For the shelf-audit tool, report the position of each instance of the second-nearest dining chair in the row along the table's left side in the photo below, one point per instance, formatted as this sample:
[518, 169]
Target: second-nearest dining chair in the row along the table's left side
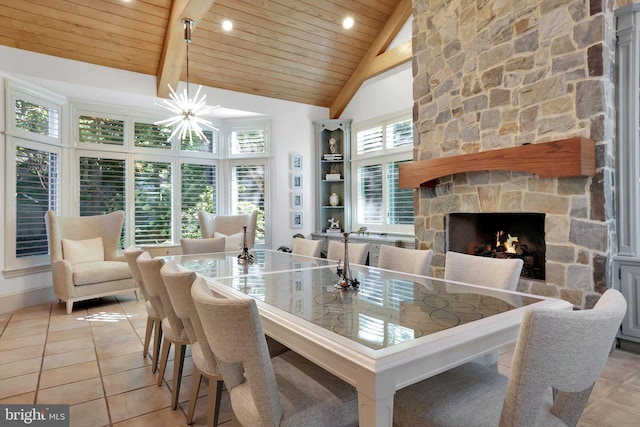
[178, 285]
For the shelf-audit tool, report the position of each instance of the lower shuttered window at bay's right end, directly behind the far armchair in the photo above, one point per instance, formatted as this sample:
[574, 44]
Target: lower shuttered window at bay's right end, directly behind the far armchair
[248, 193]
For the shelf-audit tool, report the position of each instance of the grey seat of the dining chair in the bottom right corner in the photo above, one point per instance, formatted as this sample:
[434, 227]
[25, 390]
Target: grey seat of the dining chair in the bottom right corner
[469, 395]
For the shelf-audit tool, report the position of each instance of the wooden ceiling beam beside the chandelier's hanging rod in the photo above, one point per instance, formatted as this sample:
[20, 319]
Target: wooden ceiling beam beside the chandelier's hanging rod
[174, 48]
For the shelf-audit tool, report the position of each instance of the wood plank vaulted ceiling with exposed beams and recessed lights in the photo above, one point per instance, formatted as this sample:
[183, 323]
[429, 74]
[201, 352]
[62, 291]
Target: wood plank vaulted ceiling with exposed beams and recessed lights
[294, 50]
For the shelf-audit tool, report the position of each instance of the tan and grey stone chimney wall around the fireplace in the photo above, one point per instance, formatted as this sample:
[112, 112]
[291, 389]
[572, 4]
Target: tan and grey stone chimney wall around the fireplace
[492, 74]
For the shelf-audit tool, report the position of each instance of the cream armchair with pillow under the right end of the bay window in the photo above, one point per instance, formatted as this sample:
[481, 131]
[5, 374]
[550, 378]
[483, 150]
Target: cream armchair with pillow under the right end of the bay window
[231, 227]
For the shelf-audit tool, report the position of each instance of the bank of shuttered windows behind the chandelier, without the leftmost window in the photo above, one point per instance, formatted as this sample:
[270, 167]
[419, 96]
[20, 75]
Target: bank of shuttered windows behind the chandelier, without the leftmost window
[166, 182]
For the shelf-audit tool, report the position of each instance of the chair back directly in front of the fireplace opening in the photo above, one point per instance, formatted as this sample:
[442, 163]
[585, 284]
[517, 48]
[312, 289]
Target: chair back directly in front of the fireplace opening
[502, 273]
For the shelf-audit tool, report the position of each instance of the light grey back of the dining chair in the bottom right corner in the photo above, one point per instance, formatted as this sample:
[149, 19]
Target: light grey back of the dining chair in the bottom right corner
[564, 351]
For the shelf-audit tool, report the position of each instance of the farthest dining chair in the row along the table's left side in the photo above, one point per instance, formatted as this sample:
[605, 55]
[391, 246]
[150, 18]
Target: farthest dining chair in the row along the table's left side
[155, 312]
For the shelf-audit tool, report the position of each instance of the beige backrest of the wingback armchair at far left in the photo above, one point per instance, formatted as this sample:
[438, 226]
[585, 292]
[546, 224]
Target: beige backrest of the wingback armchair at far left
[108, 227]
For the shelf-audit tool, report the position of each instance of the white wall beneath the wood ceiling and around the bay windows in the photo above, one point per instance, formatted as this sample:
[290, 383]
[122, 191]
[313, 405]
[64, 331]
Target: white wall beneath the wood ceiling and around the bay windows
[291, 132]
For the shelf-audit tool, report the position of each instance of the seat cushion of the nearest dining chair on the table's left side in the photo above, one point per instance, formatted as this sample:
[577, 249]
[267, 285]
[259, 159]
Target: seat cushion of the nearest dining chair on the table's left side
[309, 395]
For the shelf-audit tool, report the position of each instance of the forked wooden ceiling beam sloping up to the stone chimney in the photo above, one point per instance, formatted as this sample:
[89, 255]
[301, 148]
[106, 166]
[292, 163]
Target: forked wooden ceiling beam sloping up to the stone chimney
[375, 59]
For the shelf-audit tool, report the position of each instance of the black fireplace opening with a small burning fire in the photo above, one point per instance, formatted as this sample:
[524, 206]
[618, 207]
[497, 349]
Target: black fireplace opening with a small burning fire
[500, 235]
